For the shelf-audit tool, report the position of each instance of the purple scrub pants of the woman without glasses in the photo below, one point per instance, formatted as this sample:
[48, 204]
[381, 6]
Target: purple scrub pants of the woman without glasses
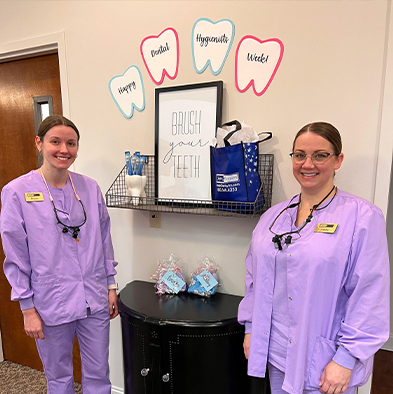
[56, 354]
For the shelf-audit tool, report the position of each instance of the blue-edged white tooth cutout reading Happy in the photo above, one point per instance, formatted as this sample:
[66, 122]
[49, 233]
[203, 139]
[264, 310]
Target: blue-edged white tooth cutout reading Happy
[128, 92]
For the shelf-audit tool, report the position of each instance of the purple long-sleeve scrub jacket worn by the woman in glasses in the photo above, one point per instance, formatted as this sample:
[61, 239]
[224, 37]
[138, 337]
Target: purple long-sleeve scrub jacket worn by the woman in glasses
[338, 291]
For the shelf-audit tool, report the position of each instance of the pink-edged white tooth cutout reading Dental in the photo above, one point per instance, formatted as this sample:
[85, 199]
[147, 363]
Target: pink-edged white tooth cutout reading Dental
[161, 55]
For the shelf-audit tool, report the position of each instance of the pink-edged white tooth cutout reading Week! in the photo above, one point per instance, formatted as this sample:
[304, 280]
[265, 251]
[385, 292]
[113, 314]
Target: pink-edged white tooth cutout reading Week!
[256, 63]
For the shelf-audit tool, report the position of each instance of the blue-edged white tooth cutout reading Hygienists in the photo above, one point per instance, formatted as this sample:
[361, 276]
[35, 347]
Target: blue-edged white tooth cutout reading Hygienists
[211, 43]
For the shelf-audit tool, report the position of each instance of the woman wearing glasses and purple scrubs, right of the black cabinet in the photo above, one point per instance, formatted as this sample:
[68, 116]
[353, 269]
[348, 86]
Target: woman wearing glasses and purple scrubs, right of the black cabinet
[316, 306]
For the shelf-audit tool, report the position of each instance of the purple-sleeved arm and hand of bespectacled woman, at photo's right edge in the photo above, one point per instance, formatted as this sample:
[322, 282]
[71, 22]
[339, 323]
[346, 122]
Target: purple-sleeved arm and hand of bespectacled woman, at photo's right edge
[365, 326]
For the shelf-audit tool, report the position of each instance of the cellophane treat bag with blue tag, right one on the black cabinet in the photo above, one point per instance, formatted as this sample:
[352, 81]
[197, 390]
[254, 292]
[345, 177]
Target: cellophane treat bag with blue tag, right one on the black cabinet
[204, 280]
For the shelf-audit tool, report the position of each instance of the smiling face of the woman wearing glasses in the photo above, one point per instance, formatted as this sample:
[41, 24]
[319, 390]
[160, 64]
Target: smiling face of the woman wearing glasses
[315, 178]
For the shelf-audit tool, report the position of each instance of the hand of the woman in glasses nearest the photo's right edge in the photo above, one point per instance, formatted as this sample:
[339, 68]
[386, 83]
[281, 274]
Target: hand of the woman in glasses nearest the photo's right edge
[335, 379]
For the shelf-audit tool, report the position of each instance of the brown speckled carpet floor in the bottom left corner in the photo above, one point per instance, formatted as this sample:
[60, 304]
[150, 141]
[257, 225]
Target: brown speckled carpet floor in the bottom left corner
[19, 379]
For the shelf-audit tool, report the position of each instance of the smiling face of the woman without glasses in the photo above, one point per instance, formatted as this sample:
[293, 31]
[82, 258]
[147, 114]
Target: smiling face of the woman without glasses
[59, 147]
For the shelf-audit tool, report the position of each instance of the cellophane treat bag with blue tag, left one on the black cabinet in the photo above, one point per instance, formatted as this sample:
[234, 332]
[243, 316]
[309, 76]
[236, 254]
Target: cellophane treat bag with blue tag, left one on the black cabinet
[169, 276]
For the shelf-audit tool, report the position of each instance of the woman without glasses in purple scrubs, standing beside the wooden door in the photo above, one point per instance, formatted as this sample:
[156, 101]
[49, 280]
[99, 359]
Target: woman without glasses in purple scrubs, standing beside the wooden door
[59, 260]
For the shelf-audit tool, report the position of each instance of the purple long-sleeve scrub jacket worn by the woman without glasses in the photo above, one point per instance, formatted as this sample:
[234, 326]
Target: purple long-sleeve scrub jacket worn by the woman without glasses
[47, 268]
